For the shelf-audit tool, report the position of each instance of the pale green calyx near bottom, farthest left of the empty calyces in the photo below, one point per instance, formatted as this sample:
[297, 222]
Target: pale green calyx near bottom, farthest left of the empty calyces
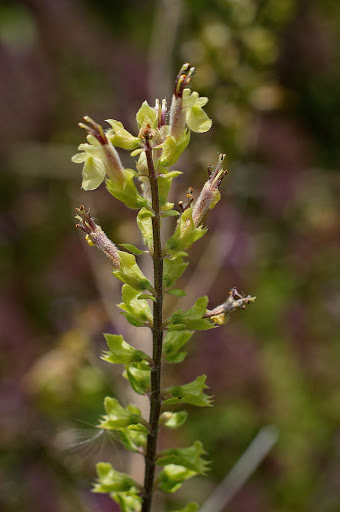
[110, 480]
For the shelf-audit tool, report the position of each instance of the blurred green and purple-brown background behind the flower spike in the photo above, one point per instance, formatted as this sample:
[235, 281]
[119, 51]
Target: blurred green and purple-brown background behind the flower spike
[271, 72]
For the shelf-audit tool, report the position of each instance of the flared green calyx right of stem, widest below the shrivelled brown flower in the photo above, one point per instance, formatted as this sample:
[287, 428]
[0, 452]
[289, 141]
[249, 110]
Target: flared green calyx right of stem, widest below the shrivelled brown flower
[191, 393]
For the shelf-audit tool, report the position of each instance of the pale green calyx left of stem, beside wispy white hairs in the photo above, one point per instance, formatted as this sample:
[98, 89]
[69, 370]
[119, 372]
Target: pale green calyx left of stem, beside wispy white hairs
[117, 416]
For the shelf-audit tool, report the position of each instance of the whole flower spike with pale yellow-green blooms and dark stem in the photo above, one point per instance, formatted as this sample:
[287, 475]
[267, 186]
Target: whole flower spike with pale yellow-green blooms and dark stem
[162, 137]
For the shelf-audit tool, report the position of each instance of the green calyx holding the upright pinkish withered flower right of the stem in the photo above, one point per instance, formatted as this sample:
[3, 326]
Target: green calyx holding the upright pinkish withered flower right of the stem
[185, 234]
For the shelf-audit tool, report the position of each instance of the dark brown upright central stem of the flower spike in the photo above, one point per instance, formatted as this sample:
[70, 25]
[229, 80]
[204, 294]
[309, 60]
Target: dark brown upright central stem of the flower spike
[157, 338]
